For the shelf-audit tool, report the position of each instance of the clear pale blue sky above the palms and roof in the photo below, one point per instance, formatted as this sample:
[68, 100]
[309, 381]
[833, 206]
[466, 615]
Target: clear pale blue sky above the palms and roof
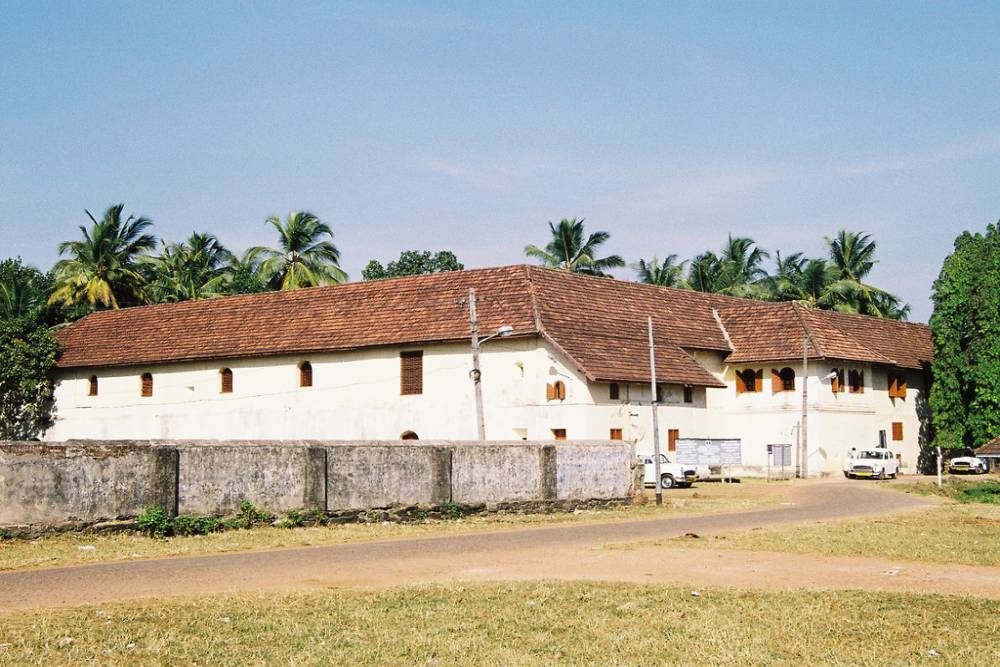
[468, 126]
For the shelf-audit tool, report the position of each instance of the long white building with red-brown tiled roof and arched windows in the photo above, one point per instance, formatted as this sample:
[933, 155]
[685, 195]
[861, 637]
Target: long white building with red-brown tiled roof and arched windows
[391, 359]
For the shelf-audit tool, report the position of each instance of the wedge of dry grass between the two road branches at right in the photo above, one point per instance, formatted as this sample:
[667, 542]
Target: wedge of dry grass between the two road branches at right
[955, 534]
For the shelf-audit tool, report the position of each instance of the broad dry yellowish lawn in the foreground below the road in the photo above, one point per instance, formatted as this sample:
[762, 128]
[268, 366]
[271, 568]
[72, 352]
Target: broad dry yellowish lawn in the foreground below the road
[512, 624]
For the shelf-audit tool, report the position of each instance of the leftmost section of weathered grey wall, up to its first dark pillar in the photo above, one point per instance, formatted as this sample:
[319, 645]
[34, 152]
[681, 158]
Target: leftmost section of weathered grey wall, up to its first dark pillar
[87, 482]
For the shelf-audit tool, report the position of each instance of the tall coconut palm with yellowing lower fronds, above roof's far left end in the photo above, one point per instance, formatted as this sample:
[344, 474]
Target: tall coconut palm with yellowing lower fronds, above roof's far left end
[103, 269]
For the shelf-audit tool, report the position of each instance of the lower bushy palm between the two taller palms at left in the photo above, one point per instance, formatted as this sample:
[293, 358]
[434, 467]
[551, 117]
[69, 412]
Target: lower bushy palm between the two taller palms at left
[193, 269]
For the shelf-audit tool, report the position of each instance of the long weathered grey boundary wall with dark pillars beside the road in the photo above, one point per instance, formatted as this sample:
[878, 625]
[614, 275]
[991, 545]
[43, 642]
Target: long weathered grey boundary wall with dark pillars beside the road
[94, 481]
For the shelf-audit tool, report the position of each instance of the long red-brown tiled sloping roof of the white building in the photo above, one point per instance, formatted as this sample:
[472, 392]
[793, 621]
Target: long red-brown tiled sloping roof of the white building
[598, 323]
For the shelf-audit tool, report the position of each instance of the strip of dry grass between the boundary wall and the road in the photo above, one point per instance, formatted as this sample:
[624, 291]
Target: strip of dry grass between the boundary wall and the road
[76, 549]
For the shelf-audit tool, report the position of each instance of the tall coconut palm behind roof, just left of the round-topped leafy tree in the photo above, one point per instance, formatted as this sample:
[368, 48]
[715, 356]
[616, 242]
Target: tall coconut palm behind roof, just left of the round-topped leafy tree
[305, 256]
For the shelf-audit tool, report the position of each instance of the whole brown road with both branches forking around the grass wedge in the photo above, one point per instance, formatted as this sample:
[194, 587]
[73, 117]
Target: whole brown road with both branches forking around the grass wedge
[564, 552]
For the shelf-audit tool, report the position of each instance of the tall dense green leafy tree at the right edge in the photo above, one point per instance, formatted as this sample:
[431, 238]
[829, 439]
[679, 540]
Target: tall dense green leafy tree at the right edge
[965, 396]
